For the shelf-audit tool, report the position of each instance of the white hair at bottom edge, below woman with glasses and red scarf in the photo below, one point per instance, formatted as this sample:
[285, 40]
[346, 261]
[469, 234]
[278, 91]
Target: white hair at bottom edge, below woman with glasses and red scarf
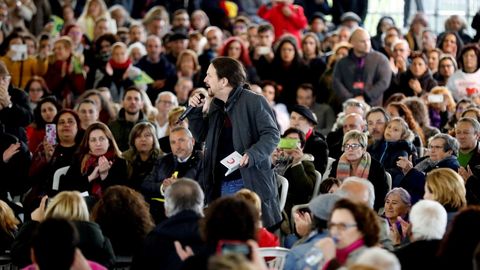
[378, 258]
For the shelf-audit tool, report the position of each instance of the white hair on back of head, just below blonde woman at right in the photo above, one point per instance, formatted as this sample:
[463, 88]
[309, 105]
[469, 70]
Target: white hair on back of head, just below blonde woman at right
[428, 219]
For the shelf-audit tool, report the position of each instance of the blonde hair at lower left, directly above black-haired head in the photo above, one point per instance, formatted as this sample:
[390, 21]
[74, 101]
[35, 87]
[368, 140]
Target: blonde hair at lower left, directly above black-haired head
[69, 205]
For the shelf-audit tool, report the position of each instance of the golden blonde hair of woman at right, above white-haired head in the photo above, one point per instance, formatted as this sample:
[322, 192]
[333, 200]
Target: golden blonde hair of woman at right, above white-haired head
[447, 187]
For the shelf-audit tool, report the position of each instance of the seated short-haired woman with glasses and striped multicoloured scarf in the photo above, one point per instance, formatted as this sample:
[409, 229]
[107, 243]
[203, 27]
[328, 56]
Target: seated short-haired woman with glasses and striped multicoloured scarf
[356, 161]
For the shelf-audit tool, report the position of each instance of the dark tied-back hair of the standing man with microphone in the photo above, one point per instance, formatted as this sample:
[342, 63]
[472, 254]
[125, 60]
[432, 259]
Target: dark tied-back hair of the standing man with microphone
[230, 69]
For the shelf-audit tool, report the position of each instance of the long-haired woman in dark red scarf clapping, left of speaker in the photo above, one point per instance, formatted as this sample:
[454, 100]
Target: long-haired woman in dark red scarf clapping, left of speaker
[98, 165]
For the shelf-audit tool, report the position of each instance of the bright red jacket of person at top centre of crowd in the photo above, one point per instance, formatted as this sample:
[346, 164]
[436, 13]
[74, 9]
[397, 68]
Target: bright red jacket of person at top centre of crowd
[294, 24]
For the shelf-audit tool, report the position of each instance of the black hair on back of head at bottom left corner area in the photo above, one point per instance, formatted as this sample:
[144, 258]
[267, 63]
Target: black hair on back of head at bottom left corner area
[54, 244]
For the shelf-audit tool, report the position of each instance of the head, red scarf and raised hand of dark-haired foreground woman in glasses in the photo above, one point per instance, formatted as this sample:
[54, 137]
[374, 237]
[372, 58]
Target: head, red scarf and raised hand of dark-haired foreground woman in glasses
[353, 228]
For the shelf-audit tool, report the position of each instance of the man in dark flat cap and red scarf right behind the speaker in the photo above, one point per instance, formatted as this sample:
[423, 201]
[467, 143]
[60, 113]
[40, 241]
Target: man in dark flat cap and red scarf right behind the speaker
[303, 119]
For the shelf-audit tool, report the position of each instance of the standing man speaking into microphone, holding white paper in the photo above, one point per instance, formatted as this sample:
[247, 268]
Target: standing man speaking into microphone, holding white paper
[241, 121]
